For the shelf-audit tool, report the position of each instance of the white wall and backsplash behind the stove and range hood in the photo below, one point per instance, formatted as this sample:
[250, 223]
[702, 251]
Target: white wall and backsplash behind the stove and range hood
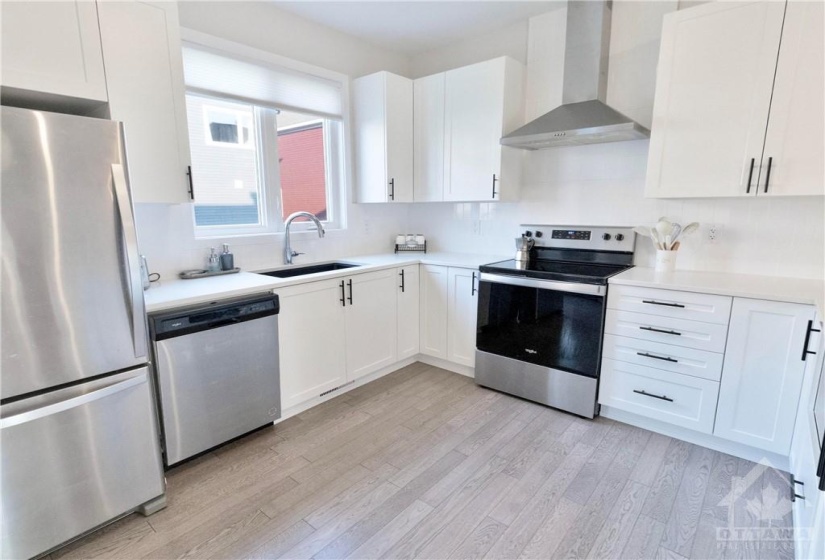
[603, 184]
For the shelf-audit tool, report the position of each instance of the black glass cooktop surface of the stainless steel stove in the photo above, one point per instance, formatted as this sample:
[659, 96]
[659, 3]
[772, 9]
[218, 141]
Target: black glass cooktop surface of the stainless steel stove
[562, 271]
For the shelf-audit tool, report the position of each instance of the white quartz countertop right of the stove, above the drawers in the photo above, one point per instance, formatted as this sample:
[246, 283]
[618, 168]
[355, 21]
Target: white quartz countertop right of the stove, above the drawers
[791, 290]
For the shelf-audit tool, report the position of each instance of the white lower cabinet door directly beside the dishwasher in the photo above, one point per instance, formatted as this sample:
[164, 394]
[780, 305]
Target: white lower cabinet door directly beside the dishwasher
[311, 341]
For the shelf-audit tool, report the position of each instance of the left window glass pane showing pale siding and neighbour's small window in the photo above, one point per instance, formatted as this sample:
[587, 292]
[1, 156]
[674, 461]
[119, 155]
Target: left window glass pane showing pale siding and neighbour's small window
[224, 162]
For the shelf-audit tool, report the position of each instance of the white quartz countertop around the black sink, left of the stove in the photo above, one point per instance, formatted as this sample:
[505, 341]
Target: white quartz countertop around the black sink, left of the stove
[172, 293]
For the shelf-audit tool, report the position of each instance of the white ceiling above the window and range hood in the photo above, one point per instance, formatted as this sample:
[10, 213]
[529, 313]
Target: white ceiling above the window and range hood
[415, 27]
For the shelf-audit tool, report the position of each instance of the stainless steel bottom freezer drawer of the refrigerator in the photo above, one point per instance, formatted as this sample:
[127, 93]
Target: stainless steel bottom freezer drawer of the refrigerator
[76, 458]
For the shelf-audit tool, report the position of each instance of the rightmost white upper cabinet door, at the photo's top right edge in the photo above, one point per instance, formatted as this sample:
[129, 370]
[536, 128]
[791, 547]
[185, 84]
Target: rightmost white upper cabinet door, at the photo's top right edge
[795, 138]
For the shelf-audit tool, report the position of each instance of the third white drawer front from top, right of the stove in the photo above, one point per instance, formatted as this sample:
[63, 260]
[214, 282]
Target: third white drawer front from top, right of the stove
[688, 361]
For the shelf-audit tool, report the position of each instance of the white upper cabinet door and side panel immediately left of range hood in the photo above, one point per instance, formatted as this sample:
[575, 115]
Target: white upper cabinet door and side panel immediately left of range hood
[483, 102]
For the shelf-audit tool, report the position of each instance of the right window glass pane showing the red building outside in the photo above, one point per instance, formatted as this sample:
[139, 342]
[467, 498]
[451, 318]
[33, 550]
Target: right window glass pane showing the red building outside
[303, 164]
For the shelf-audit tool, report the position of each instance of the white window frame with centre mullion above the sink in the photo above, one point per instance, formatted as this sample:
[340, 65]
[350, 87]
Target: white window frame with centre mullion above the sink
[337, 149]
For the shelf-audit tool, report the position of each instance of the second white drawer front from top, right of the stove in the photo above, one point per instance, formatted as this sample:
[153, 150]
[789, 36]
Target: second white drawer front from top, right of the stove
[679, 332]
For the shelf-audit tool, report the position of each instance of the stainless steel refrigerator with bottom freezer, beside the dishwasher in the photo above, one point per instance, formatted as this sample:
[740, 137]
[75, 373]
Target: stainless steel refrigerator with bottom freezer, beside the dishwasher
[78, 424]
